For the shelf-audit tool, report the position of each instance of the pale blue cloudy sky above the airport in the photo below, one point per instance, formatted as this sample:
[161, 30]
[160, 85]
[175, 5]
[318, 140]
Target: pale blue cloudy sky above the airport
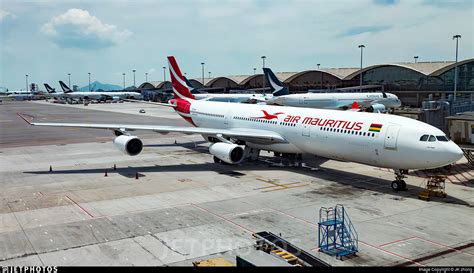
[50, 38]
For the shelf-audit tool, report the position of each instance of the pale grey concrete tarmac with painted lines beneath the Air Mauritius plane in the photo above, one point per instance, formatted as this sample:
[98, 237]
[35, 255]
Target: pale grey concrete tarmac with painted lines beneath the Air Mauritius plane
[184, 208]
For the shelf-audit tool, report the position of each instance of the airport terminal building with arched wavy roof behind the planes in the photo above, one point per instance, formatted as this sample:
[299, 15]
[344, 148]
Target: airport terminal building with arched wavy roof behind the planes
[412, 82]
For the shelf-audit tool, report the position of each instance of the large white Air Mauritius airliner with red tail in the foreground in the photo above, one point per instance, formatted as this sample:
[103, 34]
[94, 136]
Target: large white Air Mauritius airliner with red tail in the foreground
[239, 132]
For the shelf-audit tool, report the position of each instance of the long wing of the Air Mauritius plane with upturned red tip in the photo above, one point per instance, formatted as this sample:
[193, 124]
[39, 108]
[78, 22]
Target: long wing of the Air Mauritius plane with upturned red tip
[253, 135]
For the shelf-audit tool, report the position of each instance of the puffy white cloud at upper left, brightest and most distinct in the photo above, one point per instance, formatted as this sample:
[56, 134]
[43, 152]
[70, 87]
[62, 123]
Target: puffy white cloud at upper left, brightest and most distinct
[77, 28]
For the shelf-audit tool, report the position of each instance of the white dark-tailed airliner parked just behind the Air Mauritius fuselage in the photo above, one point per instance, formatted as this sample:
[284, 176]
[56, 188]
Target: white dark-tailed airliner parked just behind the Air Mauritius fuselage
[372, 102]
